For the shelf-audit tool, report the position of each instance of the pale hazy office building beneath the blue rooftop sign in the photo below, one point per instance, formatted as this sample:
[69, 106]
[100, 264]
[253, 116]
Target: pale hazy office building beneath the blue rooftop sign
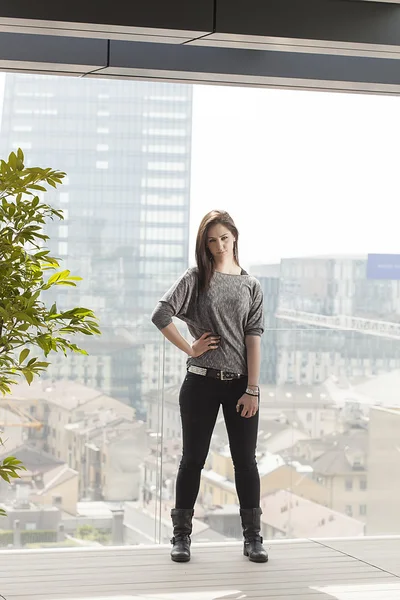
[335, 321]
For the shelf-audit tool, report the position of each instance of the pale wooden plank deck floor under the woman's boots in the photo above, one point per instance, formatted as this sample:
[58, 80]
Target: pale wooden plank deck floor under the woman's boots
[363, 569]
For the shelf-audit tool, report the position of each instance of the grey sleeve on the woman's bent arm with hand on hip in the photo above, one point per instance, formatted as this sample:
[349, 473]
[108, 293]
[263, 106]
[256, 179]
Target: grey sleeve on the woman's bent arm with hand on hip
[175, 302]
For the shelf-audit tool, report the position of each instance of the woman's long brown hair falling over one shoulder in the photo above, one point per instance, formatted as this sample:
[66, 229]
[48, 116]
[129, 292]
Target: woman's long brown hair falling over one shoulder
[204, 259]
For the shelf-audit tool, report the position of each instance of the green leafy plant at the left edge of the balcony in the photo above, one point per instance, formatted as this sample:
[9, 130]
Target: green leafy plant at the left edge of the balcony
[27, 325]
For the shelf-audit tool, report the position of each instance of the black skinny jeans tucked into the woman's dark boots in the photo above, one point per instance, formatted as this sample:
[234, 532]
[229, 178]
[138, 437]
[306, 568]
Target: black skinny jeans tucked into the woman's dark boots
[200, 398]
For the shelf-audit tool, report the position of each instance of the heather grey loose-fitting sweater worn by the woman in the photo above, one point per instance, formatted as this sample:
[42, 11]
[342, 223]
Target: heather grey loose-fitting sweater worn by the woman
[232, 307]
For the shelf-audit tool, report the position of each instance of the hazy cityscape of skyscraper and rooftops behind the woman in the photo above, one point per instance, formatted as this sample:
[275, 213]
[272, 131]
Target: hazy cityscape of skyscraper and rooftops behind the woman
[100, 435]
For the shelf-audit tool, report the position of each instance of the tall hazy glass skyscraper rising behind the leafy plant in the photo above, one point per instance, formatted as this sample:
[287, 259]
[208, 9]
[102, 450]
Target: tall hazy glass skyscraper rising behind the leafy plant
[126, 149]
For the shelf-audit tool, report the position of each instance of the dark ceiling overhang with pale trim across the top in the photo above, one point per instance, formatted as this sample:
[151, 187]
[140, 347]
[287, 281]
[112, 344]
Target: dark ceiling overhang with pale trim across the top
[350, 45]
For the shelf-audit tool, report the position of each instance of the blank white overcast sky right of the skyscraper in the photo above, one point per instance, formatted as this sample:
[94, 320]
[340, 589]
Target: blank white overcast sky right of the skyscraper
[302, 173]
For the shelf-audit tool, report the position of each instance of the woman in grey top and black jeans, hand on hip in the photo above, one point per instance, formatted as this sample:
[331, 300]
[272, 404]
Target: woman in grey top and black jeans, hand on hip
[223, 308]
